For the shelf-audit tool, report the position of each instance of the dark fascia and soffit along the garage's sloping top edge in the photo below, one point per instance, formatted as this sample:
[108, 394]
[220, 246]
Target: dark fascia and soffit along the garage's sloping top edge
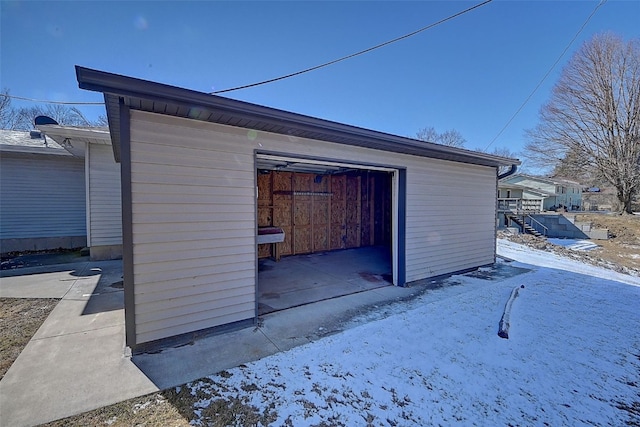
[116, 86]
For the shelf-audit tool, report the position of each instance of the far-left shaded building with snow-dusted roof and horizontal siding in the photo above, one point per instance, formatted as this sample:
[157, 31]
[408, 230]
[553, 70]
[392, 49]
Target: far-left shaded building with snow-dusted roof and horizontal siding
[42, 194]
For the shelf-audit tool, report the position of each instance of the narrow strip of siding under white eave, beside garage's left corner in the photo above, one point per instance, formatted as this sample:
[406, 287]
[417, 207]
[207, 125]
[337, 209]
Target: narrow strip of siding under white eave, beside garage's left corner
[105, 211]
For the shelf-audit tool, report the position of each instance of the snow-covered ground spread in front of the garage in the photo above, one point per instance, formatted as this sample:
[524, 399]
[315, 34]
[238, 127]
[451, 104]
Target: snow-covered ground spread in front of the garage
[573, 357]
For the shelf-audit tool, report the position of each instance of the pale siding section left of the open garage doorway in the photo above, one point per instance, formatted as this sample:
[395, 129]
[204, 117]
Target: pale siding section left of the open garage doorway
[193, 200]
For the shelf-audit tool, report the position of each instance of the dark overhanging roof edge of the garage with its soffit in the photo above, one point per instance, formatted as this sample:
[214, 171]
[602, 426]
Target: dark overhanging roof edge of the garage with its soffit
[159, 98]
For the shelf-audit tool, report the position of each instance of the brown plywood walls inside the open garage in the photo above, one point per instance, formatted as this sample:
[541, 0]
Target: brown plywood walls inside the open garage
[325, 212]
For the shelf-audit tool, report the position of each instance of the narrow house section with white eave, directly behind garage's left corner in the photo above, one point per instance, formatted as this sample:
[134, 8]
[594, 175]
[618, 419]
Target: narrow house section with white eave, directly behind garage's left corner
[102, 182]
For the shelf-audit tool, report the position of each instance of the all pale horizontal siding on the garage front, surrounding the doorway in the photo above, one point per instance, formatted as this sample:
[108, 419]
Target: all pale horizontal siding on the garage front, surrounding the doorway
[193, 196]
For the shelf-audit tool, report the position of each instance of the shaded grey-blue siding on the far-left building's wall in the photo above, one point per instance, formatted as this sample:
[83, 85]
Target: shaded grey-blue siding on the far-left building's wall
[41, 196]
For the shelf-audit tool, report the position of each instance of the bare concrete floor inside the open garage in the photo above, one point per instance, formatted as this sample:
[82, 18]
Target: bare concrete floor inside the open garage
[304, 279]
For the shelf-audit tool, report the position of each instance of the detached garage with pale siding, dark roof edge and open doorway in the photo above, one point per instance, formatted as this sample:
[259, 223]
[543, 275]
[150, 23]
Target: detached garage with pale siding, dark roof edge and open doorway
[211, 187]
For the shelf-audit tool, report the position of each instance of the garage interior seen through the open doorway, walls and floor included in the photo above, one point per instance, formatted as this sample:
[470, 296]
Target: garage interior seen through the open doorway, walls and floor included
[337, 224]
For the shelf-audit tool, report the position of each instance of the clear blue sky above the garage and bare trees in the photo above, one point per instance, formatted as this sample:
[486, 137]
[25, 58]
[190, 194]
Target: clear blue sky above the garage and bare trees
[470, 74]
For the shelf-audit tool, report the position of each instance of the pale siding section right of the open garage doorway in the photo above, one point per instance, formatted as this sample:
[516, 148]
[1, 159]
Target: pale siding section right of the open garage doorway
[451, 214]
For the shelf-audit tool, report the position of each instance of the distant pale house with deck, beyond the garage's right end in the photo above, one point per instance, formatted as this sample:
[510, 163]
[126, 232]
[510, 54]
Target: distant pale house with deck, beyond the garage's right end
[530, 194]
